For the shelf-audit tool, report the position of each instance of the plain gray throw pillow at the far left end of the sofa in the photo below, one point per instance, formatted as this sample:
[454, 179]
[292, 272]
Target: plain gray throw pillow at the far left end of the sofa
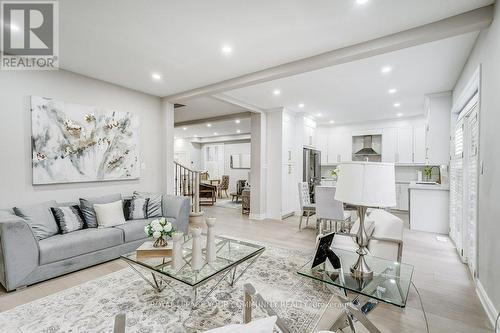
[39, 218]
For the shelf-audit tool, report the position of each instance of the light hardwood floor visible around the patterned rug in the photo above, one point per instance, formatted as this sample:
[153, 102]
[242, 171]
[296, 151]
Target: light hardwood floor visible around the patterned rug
[443, 281]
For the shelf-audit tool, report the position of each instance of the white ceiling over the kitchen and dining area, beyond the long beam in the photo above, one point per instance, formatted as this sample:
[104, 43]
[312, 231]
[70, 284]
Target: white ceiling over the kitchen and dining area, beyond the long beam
[358, 91]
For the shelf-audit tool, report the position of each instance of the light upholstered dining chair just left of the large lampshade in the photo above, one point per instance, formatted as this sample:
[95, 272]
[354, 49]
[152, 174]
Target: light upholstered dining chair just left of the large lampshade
[330, 210]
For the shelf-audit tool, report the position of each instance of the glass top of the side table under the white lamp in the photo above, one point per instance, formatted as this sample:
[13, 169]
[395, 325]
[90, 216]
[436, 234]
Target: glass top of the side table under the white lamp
[390, 282]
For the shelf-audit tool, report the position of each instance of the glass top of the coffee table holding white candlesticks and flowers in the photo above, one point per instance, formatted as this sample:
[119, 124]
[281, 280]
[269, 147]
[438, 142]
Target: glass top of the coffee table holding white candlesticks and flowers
[230, 253]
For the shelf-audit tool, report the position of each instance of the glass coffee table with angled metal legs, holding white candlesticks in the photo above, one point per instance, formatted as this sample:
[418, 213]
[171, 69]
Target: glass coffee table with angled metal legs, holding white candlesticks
[231, 254]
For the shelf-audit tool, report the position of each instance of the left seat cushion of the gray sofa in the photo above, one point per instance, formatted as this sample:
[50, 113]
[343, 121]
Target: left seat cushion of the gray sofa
[76, 243]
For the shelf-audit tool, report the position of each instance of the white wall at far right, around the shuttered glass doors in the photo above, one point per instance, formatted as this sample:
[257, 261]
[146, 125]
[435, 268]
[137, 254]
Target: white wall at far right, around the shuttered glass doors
[487, 53]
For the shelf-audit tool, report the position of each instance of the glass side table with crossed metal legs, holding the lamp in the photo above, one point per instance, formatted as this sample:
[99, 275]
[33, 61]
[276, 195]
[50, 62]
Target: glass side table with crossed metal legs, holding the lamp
[390, 284]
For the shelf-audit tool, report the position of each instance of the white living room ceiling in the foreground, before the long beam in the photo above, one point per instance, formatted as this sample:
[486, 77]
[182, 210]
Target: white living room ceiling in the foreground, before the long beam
[125, 41]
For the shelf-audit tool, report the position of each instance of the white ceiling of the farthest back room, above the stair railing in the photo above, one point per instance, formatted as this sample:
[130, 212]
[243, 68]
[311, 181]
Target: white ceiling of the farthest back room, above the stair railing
[222, 128]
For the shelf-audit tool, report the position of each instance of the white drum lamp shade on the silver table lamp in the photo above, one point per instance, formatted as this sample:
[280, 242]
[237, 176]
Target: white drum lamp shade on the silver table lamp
[367, 184]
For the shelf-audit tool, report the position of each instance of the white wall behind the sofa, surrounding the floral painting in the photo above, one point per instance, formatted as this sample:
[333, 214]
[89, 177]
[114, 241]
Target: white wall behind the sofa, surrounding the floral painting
[15, 133]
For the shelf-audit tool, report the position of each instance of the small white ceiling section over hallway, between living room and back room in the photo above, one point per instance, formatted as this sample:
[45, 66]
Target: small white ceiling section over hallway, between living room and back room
[204, 107]
